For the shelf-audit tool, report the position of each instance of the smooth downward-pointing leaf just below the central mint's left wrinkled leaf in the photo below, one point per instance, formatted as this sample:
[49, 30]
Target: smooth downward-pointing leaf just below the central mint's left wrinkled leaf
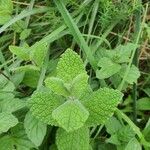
[35, 129]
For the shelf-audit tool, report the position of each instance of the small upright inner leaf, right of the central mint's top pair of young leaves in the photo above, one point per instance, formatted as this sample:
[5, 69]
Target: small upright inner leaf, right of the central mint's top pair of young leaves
[79, 85]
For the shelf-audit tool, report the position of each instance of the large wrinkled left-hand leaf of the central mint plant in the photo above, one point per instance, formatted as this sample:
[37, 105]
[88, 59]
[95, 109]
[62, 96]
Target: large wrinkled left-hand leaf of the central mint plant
[42, 104]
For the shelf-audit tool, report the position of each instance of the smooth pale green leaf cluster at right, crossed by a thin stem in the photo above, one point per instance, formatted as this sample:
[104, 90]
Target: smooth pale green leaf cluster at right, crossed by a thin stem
[115, 62]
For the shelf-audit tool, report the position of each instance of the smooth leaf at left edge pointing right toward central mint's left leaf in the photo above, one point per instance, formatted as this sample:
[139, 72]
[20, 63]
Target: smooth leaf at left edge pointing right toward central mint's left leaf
[12, 104]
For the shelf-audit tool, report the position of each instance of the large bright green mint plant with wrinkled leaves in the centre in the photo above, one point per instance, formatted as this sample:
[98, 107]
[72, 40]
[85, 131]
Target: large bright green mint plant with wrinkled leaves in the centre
[68, 102]
